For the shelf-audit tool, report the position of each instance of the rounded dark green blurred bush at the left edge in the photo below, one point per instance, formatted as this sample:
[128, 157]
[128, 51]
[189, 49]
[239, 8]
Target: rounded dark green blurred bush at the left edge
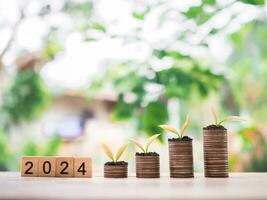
[26, 98]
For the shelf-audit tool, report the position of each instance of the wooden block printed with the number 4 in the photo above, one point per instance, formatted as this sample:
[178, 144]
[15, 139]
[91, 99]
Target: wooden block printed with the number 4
[83, 167]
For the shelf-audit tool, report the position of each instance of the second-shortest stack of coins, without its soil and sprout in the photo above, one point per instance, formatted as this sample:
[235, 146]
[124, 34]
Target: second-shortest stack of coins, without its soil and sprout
[147, 166]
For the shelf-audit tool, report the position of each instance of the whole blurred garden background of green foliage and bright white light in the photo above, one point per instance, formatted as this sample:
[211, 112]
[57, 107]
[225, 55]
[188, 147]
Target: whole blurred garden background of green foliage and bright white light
[76, 73]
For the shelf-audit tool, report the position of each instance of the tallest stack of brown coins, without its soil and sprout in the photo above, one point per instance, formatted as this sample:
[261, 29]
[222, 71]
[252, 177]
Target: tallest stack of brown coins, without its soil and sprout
[215, 153]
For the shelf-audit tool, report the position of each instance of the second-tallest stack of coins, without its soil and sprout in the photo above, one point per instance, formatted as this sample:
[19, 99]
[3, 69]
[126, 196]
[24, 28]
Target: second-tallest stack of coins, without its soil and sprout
[181, 158]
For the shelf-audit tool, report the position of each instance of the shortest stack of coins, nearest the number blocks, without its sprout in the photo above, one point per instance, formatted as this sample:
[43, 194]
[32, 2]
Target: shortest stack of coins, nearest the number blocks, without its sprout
[116, 171]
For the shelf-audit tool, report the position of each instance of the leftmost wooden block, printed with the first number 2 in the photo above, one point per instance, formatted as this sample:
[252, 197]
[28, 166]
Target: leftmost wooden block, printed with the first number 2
[29, 166]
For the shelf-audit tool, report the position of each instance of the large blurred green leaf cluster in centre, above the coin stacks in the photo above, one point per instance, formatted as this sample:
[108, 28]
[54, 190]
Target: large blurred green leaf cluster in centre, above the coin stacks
[136, 102]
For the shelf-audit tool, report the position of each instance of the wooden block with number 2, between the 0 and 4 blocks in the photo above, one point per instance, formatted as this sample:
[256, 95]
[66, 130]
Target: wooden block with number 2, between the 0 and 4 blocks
[64, 166]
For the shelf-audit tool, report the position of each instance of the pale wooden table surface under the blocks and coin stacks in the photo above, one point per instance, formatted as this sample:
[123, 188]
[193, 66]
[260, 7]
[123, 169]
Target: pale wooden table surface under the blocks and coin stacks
[251, 186]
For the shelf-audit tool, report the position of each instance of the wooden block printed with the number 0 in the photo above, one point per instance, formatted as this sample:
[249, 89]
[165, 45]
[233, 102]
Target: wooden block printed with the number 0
[47, 166]
